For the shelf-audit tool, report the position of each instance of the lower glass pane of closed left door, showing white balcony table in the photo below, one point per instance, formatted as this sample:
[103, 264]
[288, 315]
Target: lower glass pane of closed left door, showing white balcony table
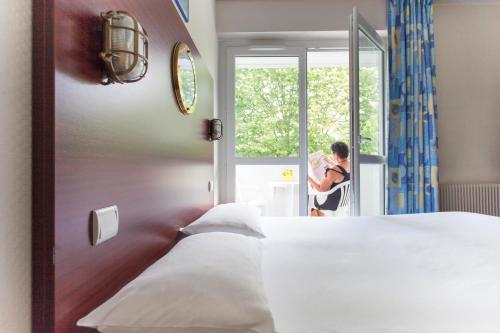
[274, 189]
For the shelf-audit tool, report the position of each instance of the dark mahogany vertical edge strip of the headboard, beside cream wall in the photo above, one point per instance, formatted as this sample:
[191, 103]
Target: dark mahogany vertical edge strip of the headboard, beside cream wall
[43, 167]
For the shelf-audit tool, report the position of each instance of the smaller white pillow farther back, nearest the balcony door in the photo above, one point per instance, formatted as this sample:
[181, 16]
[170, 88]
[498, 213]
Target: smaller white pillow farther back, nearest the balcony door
[232, 217]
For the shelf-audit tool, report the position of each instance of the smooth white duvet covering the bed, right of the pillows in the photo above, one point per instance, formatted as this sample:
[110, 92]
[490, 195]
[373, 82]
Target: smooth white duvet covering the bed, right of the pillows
[425, 273]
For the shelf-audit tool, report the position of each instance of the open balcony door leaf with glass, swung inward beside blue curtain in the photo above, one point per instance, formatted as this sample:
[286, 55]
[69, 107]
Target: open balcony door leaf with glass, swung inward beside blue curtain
[368, 115]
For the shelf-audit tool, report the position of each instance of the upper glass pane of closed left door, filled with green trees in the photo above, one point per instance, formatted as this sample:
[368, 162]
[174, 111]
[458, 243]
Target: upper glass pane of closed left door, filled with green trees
[267, 106]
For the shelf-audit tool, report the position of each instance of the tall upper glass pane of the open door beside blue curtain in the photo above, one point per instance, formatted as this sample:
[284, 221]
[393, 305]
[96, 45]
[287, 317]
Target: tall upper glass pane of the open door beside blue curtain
[370, 97]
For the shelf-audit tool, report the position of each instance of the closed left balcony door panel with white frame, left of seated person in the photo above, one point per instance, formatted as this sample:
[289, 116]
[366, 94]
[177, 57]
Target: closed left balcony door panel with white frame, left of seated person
[266, 136]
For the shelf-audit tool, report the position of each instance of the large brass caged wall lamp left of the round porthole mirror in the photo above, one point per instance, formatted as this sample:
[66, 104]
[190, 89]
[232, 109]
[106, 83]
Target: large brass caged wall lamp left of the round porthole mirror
[125, 53]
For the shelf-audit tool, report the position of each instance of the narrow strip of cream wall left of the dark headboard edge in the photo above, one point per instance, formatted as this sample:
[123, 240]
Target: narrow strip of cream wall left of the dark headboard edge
[15, 166]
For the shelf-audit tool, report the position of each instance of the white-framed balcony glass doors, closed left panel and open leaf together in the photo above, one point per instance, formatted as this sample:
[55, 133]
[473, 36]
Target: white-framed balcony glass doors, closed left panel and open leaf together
[284, 103]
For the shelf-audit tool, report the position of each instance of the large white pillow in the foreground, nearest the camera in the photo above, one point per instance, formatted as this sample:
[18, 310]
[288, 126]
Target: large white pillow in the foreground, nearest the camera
[208, 283]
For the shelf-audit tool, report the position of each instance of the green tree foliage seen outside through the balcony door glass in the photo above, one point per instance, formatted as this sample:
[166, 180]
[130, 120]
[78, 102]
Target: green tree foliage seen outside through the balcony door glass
[267, 110]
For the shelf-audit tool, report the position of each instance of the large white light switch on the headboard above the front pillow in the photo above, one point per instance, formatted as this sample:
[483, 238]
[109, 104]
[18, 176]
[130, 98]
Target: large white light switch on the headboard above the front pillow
[104, 224]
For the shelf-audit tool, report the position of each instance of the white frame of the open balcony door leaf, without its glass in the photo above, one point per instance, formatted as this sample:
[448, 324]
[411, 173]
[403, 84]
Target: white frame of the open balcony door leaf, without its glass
[357, 24]
